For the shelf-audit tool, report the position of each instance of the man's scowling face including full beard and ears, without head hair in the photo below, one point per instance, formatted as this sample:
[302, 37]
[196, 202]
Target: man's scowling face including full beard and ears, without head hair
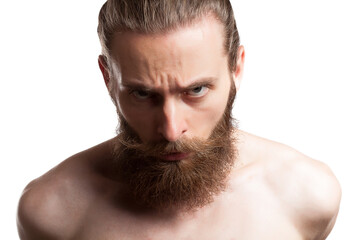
[172, 95]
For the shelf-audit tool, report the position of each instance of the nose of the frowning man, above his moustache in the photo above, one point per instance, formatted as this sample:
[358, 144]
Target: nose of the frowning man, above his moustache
[172, 124]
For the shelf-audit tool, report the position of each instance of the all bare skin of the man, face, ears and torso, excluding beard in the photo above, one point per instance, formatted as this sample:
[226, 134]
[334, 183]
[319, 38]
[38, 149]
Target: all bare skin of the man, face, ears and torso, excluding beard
[274, 192]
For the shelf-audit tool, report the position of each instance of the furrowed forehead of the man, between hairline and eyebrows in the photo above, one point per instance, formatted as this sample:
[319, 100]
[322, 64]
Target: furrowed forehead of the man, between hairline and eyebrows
[193, 51]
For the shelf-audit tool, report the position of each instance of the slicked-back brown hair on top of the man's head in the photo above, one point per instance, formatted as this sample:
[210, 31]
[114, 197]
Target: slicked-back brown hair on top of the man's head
[163, 16]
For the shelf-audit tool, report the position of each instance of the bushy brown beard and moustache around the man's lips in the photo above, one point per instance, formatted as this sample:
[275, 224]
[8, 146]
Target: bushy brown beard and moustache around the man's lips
[187, 184]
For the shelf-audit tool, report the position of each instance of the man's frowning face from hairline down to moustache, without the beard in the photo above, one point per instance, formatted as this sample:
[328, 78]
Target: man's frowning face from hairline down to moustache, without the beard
[173, 85]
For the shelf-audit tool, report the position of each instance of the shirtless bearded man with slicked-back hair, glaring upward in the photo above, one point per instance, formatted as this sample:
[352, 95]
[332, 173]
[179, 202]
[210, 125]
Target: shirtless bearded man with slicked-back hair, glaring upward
[178, 168]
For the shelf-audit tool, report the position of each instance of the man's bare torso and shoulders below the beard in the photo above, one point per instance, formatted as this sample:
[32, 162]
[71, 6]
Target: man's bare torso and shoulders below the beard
[274, 192]
